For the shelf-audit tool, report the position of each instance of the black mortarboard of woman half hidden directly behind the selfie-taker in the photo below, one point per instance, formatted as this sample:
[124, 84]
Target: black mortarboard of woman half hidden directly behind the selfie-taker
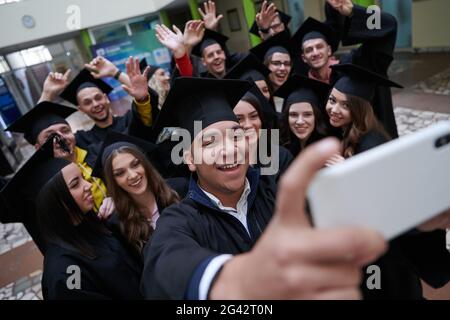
[249, 67]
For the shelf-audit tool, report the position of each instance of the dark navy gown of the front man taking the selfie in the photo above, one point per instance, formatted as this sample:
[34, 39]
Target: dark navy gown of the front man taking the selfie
[195, 230]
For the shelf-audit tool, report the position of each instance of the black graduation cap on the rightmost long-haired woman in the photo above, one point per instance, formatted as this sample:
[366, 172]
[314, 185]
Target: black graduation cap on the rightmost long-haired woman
[360, 82]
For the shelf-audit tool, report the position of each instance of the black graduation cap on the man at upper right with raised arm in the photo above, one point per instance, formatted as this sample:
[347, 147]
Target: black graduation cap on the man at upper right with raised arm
[314, 29]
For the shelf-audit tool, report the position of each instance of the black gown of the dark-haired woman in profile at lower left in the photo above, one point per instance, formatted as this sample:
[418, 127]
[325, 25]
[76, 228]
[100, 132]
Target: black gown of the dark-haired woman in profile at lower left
[114, 274]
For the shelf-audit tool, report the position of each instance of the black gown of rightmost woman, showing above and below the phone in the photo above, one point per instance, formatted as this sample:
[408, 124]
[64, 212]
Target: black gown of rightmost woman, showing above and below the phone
[411, 256]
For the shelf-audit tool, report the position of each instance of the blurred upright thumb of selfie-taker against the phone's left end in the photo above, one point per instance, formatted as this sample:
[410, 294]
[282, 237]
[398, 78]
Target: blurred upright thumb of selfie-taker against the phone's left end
[293, 185]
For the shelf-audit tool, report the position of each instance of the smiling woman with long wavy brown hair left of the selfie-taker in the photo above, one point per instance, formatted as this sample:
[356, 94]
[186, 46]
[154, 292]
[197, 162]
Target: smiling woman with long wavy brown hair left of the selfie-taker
[138, 190]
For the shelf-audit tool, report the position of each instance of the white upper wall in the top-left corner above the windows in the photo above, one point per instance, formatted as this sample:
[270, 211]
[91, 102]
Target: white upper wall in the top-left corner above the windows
[51, 17]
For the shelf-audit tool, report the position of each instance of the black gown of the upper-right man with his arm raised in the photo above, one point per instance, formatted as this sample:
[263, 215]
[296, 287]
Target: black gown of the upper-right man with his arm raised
[375, 53]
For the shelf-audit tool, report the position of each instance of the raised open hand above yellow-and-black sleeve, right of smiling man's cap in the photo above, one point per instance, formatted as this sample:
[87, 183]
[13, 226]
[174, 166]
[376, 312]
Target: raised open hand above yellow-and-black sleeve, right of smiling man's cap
[138, 87]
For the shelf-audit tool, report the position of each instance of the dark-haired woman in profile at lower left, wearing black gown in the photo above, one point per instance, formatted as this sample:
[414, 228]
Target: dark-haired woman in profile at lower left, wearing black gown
[84, 259]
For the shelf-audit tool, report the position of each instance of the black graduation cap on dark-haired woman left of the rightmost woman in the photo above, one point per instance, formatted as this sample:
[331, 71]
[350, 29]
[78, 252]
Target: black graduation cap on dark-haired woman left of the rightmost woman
[299, 88]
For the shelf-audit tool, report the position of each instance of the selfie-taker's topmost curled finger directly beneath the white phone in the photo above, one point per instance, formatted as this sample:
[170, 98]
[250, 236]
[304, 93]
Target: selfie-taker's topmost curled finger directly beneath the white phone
[358, 246]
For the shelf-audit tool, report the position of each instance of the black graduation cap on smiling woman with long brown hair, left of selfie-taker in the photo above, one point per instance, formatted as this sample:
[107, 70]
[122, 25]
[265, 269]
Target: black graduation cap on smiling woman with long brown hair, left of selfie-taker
[115, 140]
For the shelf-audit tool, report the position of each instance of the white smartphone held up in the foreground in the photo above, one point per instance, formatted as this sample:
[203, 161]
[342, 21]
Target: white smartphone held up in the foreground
[391, 188]
